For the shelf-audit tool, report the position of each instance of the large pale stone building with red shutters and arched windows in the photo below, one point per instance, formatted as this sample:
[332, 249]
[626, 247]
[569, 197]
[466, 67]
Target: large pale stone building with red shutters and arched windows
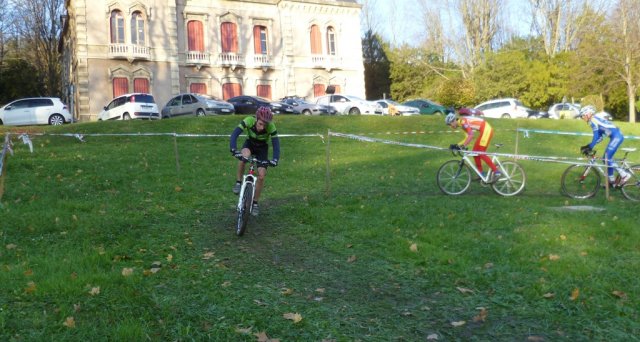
[269, 48]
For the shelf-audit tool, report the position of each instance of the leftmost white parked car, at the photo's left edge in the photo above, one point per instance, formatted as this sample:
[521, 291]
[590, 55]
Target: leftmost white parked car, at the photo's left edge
[35, 111]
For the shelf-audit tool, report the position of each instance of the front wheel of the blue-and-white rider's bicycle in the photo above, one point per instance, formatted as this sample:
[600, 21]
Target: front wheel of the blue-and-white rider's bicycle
[579, 181]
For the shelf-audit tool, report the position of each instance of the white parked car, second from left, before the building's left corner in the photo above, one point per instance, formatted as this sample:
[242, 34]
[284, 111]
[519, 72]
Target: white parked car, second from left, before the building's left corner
[130, 106]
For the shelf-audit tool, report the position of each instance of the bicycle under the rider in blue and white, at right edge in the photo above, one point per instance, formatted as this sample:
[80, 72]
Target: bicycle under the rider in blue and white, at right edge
[583, 181]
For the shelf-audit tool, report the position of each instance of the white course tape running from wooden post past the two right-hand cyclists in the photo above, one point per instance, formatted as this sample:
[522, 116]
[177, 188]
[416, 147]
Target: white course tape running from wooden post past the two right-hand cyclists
[552, 159]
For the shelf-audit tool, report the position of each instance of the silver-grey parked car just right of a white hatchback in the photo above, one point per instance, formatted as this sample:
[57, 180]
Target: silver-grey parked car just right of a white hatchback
[195, 104]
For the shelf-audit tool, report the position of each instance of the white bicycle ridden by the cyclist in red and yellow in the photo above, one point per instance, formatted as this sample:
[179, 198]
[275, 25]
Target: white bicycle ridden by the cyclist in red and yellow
[454, 176]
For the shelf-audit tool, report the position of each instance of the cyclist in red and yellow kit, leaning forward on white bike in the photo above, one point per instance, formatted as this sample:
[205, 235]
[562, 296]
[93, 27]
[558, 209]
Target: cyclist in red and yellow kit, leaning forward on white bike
[470, 125]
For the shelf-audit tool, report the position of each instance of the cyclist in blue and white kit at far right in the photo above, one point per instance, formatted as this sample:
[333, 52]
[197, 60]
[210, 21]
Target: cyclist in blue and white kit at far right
[602, 127]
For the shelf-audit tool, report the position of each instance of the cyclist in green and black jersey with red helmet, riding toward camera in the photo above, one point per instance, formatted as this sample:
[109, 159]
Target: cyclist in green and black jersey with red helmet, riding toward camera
[260, 130]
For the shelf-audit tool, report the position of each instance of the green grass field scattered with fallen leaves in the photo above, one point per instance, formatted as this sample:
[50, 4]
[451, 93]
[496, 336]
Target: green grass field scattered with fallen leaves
[130, 238]
